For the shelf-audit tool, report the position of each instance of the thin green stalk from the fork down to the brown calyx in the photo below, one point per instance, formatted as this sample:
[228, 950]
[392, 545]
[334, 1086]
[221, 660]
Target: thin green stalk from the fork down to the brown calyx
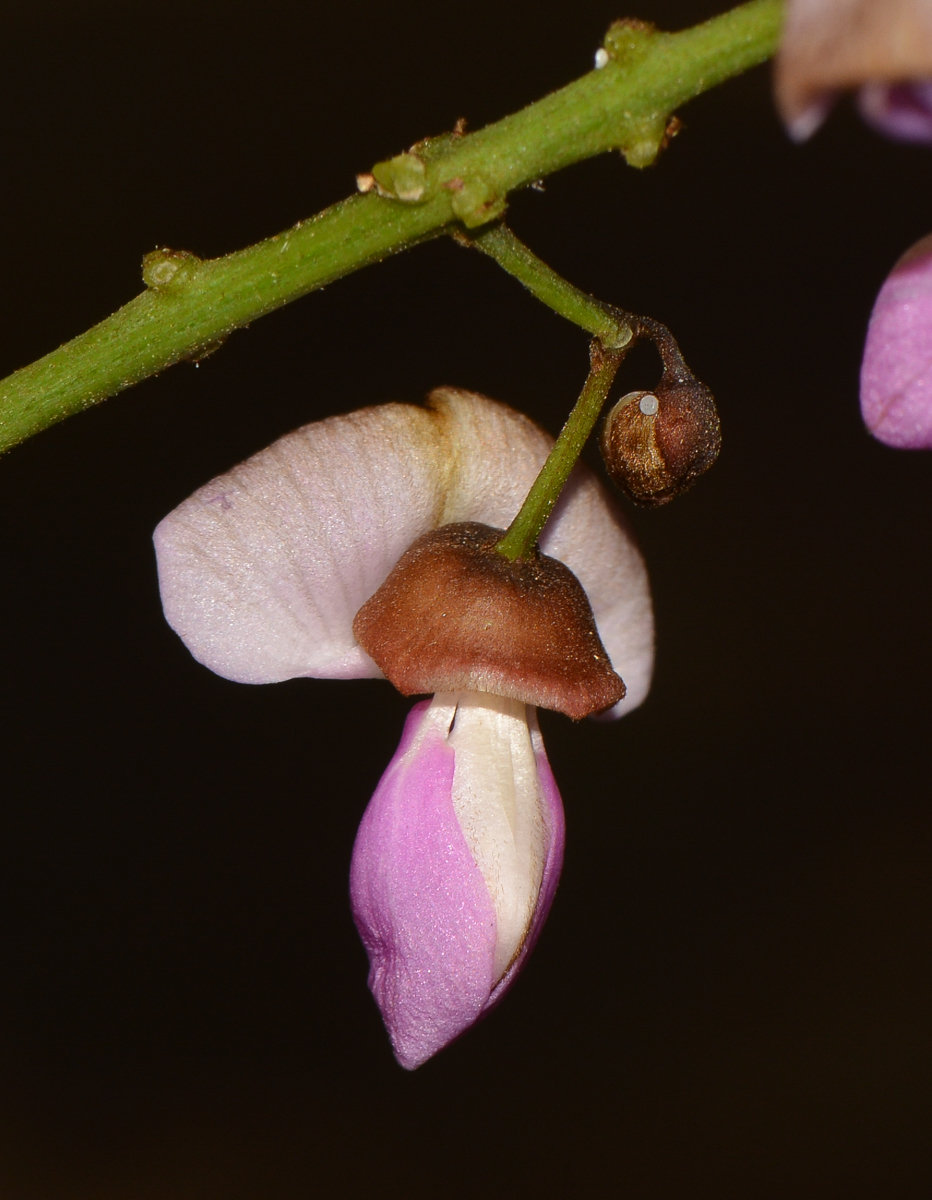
[522, 535]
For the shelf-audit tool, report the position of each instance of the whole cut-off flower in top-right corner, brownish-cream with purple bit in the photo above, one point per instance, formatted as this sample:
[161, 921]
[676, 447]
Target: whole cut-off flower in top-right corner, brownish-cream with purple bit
[882, 47]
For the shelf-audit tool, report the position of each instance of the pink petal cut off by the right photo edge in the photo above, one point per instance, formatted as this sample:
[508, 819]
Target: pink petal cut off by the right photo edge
[897, 373]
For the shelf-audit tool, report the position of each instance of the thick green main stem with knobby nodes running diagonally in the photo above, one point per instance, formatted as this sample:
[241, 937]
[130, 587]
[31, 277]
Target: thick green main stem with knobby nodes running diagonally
[191, 305]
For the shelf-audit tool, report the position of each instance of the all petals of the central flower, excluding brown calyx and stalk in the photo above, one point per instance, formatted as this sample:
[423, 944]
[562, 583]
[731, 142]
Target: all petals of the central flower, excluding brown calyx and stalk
[262, 574]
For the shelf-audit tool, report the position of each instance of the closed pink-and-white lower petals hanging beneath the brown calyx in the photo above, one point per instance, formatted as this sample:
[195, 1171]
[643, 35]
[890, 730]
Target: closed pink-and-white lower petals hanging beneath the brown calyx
[455, 867]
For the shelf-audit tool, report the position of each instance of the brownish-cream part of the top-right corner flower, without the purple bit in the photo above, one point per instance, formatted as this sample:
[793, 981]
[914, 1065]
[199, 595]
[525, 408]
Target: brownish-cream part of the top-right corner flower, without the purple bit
[833, 45]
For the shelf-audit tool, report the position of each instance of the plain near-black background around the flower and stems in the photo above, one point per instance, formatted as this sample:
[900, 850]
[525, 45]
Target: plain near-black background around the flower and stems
[732, 997]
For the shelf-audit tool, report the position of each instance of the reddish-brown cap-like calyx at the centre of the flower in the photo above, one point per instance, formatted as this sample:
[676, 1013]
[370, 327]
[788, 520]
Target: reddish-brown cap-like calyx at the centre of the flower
[454, 615]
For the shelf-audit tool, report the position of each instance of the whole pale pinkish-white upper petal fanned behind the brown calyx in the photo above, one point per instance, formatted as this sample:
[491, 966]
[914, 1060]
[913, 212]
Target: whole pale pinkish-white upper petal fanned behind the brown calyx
[263, 571]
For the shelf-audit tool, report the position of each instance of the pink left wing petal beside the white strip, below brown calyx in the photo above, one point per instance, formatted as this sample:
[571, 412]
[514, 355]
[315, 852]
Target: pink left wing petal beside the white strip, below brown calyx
[420, 902]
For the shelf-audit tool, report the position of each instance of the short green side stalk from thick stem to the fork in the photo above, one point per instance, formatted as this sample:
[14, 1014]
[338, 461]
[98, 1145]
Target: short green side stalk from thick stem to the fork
[550, 289]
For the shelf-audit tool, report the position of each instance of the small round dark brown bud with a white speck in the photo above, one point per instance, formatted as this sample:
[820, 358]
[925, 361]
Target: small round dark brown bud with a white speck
[656, 445]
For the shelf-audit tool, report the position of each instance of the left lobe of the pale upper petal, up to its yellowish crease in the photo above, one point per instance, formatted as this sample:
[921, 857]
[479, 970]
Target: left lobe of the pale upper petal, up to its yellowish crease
[263, 571]
